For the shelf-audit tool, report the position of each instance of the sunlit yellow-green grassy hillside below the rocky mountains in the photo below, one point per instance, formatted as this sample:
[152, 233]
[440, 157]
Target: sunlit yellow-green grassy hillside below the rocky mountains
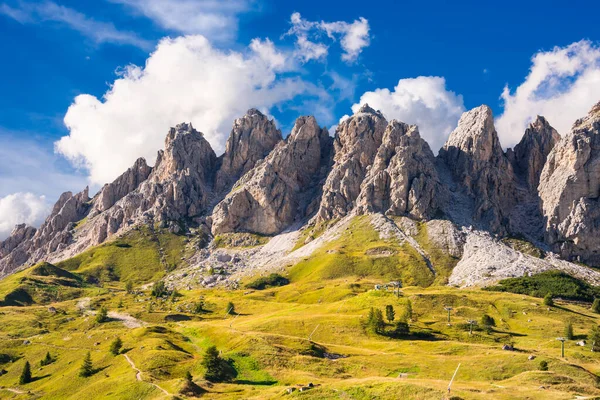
[312, 330]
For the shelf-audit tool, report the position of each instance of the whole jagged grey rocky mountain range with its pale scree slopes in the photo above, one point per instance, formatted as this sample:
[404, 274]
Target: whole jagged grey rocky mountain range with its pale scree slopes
[303, 191]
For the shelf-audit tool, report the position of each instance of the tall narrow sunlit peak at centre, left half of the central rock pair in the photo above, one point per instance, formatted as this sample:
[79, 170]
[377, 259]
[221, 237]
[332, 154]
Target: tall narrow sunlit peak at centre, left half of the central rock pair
[356, 143]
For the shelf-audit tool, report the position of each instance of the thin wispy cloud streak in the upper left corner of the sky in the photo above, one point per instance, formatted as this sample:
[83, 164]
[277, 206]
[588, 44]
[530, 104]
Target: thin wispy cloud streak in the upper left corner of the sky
[98, 31]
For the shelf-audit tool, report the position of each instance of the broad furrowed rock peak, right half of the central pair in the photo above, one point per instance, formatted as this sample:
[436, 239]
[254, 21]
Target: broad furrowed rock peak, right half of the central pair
[403, 179]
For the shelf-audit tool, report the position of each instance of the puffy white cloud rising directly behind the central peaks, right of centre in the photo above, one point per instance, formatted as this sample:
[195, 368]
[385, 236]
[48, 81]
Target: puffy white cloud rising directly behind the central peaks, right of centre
[423, 101]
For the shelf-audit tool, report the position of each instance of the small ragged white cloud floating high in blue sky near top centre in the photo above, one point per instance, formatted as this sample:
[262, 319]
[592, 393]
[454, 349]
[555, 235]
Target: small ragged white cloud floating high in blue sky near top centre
[353, 37]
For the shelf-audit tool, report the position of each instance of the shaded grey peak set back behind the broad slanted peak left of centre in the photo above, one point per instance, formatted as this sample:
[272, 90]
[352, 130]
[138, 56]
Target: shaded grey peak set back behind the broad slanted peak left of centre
[252, 138]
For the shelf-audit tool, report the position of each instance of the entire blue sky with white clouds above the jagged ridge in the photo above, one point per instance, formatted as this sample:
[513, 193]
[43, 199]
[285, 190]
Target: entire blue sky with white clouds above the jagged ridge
[421, 62]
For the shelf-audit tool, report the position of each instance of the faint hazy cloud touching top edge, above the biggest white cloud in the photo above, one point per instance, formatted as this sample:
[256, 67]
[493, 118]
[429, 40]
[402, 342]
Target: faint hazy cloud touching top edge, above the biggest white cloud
[215, 19]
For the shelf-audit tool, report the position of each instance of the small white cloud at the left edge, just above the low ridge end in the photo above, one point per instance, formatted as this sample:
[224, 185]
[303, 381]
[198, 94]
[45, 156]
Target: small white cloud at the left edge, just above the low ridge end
[20, 208]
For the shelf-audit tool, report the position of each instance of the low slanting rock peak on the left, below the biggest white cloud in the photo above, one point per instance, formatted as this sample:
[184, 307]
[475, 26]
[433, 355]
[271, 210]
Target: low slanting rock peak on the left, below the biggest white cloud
[120, 187]
